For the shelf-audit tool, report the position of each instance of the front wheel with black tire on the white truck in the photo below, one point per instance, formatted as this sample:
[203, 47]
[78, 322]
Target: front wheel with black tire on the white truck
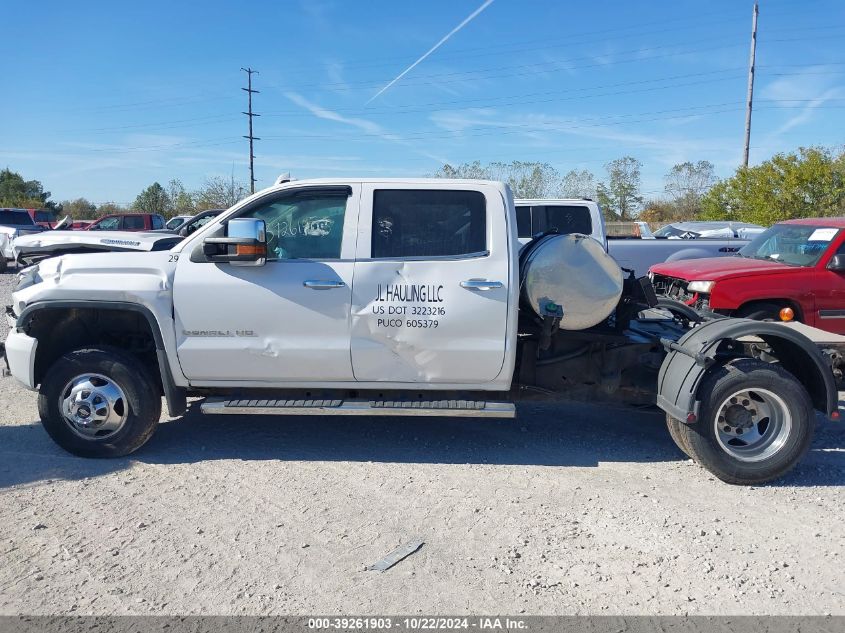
[111, 403]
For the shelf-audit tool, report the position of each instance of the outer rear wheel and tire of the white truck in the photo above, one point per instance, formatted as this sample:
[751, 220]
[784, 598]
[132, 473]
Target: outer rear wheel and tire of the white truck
[756, 423]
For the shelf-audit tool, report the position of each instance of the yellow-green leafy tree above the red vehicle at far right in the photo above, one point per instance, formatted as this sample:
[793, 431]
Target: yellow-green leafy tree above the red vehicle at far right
[806, 183]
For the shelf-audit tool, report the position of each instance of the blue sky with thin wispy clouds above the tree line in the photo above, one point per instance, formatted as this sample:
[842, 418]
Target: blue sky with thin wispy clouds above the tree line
[103, 98]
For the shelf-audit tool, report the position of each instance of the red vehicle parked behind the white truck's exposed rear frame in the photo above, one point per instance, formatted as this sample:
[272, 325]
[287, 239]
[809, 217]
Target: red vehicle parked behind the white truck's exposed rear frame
[794, 270]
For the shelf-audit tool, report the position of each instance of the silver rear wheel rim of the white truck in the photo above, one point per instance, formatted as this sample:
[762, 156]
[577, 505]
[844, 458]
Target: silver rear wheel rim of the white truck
[753, 424]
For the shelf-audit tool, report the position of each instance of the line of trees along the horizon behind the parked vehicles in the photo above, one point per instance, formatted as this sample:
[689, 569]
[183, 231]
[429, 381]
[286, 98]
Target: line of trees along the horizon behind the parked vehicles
[807, 182]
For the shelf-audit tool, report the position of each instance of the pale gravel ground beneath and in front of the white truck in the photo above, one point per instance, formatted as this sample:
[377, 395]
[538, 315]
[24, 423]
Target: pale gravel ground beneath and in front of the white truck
[567, 510]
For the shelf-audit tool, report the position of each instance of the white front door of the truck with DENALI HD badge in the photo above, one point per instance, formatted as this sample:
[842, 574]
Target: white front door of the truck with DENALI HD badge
[286, 321]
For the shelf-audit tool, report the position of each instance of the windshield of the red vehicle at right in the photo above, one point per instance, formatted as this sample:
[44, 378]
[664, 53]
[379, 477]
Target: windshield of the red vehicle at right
[793, 244]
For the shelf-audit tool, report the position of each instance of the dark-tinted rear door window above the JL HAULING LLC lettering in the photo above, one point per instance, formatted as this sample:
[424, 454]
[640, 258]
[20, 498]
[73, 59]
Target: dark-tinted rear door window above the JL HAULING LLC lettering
[428, 223]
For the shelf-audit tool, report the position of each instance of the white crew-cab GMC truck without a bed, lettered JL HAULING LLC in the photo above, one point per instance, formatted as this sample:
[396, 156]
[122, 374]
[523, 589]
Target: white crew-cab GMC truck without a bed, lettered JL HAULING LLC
[396, 297]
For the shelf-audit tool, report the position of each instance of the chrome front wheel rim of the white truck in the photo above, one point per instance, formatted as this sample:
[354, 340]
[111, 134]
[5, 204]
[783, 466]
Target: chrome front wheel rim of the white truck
[93, 406]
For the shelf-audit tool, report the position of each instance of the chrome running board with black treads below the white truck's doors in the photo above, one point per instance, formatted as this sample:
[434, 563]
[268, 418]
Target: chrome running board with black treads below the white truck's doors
[462, 408]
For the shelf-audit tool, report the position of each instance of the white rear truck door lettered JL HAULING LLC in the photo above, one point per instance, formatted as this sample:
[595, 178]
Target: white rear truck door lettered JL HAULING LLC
[430, 297]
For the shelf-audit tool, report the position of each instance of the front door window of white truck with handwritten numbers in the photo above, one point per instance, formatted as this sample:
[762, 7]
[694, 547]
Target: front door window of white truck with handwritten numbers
[304, 226]
